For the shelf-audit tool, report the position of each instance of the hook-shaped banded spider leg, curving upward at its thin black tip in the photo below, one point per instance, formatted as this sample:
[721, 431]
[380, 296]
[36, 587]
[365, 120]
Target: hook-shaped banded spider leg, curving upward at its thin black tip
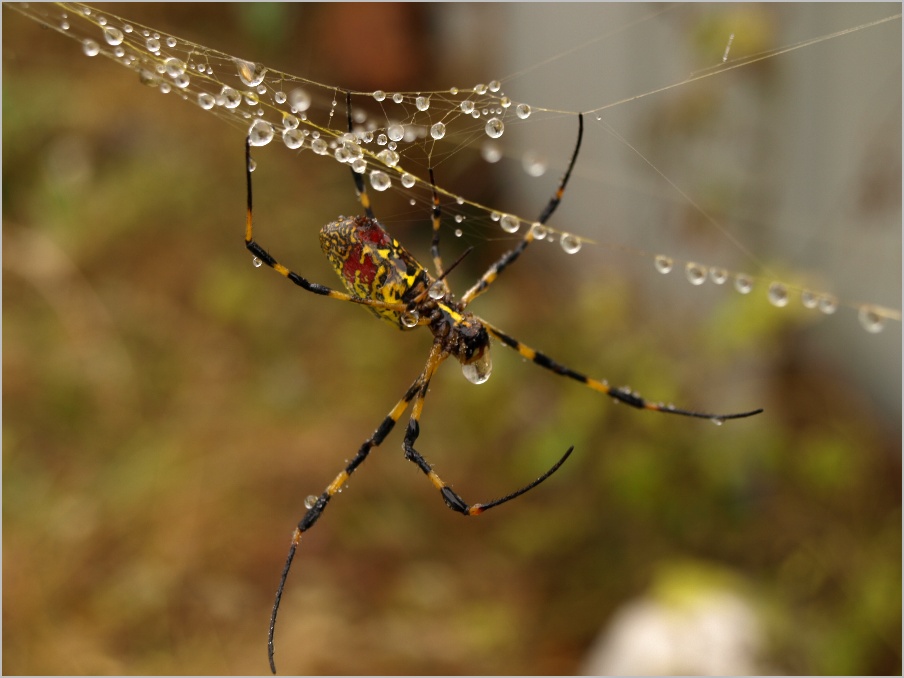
[452, 499]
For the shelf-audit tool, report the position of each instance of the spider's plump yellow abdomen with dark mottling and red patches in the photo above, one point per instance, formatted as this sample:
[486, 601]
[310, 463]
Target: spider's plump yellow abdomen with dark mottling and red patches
[373, 265]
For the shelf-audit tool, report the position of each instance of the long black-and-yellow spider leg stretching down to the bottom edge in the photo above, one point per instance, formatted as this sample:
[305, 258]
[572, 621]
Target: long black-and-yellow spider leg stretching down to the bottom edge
[314, 513]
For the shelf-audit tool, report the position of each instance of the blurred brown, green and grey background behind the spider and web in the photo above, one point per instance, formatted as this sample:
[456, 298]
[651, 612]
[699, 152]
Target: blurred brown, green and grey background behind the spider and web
[168, 407]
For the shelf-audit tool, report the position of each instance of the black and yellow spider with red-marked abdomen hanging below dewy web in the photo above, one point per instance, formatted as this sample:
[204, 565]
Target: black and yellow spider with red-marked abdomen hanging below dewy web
[382, 276]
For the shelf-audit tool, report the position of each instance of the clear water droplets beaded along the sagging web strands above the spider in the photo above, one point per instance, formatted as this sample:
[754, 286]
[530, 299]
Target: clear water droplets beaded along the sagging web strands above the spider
[265, 103]
